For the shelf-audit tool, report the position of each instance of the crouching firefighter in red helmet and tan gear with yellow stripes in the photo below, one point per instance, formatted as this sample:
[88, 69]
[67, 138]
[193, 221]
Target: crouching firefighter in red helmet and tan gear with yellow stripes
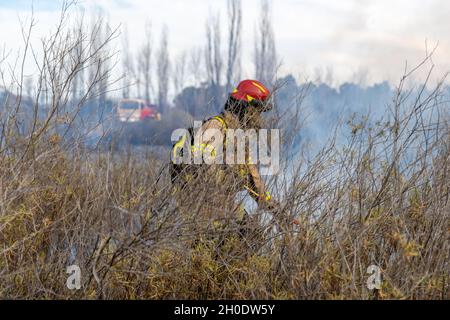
[215, 186]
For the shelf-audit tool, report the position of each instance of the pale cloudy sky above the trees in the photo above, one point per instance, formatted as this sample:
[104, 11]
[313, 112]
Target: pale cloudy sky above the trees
[355, 39]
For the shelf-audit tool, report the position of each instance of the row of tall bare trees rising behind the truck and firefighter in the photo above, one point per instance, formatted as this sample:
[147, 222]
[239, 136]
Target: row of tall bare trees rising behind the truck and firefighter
[151, 73]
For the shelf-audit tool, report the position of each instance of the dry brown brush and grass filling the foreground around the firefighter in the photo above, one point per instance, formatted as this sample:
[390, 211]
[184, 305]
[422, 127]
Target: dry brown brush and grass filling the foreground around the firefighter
[380, 199]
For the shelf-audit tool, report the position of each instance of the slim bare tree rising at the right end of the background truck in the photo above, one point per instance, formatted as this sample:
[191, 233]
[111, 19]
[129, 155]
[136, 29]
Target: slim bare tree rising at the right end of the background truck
[163, 70]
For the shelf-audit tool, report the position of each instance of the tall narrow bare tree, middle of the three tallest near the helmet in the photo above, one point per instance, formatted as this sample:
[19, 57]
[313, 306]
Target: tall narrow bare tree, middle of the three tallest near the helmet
[234, 42]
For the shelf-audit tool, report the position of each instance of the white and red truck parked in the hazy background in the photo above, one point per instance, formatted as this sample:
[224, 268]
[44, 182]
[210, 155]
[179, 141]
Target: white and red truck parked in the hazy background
[134, 110]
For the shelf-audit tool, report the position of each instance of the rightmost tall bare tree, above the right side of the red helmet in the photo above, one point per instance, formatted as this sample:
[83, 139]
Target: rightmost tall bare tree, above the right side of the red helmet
[265, 55]
